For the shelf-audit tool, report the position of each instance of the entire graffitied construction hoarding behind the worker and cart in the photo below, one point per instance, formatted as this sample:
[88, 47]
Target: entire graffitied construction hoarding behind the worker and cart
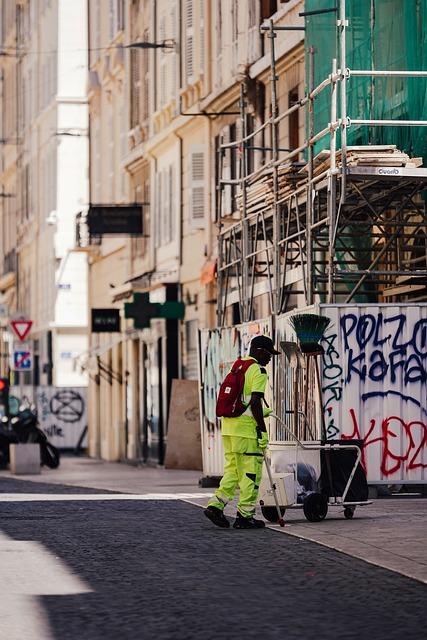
[373, 378]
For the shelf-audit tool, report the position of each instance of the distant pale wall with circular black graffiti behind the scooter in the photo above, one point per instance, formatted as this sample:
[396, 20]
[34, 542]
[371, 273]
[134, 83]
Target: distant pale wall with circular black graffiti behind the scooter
[62, 412]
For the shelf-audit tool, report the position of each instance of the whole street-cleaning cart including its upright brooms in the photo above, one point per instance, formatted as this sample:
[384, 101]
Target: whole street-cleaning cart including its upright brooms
[316, 474]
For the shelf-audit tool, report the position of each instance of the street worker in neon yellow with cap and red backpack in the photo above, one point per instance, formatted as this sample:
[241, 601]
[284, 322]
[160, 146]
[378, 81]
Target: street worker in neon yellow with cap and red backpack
[244, 435]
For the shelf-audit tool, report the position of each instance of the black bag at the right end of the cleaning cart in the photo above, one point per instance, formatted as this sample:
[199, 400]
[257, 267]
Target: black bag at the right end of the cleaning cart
[341, 462]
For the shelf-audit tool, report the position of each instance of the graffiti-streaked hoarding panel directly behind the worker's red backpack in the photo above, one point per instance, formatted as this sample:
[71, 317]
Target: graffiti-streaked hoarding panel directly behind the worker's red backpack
[219, 348]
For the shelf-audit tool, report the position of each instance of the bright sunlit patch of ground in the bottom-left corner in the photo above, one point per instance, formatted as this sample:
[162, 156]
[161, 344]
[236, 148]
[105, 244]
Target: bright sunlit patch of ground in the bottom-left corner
[29, 570]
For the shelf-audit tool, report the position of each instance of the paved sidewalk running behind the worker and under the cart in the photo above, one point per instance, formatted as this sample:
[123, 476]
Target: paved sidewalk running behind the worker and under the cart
[390, 533]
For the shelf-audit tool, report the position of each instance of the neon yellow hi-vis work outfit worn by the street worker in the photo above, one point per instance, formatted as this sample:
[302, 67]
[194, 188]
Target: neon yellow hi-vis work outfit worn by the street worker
[243, 457]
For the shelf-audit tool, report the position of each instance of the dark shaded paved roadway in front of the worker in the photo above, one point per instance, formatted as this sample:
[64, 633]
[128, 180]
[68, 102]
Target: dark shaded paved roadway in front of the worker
[160, 570]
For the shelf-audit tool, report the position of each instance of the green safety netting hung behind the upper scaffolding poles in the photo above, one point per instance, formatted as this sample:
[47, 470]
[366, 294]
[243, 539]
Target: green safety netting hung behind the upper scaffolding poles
[382, 35]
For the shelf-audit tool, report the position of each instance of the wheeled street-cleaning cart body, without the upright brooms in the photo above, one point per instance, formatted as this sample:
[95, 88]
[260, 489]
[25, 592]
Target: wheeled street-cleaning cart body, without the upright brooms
[313, 477]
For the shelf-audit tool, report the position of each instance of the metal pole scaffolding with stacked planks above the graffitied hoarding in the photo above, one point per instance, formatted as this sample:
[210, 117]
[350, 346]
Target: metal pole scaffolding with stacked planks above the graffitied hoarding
[326, 229]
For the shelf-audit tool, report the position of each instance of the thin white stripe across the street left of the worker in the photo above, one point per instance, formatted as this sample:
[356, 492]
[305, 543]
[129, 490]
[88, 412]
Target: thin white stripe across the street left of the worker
[68, 497]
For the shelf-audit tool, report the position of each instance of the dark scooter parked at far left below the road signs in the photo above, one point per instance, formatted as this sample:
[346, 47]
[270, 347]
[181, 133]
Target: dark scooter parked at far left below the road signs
[23, 428]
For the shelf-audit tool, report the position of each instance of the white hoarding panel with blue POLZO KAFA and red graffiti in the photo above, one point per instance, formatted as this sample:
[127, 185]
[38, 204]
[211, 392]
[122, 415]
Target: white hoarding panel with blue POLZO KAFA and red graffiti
[374, 384]
